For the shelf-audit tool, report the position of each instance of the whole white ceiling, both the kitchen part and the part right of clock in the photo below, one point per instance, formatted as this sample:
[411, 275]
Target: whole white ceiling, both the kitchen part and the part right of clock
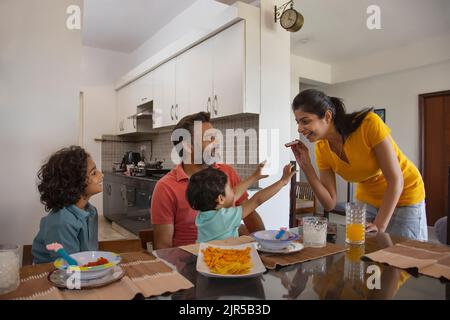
[334, 30]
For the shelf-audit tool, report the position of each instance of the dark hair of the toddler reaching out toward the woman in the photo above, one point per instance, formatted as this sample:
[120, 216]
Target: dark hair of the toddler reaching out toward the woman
[204, 188]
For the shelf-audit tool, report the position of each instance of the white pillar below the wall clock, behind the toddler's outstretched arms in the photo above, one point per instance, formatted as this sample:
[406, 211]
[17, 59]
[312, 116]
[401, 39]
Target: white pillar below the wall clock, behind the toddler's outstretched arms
[275, 112]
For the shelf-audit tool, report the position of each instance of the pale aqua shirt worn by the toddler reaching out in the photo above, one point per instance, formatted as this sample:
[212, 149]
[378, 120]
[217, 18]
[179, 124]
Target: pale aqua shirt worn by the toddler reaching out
[218, 224]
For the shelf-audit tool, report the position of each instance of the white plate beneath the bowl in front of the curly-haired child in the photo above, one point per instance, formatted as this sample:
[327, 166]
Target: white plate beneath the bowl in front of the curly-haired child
[59, 279]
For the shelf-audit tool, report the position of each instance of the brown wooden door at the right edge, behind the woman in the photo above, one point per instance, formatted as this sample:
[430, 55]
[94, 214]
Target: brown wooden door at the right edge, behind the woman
[435, 152]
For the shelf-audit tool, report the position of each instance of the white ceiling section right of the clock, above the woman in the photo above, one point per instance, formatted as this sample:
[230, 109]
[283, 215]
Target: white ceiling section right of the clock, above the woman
[335, 30]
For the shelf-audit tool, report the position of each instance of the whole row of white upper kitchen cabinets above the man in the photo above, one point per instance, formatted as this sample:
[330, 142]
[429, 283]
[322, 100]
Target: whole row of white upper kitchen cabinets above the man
[219, 75]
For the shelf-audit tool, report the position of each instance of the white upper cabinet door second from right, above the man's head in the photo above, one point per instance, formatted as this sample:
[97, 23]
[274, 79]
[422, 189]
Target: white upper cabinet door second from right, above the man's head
[199, 62]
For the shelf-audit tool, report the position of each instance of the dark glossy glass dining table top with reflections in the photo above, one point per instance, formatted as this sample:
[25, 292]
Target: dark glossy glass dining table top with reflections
[339, 276]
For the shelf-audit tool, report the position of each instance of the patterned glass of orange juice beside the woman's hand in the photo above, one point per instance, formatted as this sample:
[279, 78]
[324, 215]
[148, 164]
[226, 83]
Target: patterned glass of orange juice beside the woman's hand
[355, 218]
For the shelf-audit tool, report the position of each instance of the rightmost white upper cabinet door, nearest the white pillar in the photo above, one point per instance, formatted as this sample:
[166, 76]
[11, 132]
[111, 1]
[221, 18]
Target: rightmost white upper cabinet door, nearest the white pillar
[229, 71]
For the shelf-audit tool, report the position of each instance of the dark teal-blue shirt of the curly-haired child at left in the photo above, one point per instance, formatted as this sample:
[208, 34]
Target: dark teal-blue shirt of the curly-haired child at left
[74, 228]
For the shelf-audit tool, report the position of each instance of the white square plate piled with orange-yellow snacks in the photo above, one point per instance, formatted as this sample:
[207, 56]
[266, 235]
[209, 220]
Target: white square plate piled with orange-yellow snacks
[240, 261]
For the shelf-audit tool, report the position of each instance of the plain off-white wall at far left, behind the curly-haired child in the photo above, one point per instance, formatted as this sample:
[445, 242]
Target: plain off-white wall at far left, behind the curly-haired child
[39, 105]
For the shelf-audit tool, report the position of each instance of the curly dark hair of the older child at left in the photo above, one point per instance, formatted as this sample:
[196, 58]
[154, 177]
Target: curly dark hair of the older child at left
[63, 179]
